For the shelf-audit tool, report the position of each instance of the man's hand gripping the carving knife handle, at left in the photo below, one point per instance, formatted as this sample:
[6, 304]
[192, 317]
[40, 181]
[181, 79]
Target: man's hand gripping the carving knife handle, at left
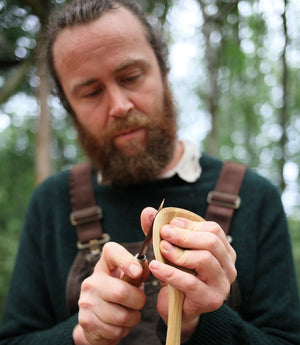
[109, 306]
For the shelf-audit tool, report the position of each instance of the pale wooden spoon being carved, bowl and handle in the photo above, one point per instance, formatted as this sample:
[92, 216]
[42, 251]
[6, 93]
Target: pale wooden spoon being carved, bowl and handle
[176, 296]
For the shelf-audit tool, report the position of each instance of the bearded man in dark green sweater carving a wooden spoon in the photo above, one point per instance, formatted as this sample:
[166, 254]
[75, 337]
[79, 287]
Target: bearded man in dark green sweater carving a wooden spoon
[110, 69]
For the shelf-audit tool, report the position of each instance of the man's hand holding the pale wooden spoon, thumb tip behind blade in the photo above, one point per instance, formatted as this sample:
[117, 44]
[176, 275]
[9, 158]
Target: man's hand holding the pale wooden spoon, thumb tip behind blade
[203, 248]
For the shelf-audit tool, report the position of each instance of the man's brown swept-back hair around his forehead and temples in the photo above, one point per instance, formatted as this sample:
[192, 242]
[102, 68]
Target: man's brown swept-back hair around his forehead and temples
[85, 11]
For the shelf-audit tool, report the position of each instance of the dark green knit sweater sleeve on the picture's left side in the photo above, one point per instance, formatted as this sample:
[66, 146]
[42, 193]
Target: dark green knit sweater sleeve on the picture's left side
[35, 312]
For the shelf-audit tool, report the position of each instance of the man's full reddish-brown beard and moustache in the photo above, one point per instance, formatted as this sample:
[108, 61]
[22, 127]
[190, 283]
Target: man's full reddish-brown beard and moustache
[143, 164]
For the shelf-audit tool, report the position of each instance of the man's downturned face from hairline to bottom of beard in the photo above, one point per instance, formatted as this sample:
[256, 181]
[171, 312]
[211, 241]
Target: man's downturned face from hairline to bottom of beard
[123, 108]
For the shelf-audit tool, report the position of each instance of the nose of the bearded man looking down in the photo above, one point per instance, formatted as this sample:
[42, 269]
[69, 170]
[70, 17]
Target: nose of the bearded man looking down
[119, 103]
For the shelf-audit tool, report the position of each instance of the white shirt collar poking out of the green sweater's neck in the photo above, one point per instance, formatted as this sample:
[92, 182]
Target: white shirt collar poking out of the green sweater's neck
[188, 168]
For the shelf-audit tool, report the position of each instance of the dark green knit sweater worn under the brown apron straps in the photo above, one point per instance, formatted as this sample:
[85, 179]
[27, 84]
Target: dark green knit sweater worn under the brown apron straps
[36, 310]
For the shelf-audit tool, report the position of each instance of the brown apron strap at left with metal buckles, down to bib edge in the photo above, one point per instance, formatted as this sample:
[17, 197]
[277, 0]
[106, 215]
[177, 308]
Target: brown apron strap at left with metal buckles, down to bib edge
[86, 217]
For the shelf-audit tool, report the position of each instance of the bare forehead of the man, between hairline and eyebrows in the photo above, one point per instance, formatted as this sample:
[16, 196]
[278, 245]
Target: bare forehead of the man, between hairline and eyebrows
[115, 31]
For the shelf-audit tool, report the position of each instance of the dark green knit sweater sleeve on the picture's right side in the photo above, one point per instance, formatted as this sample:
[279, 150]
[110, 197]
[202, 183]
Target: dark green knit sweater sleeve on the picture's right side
[270, 311]
